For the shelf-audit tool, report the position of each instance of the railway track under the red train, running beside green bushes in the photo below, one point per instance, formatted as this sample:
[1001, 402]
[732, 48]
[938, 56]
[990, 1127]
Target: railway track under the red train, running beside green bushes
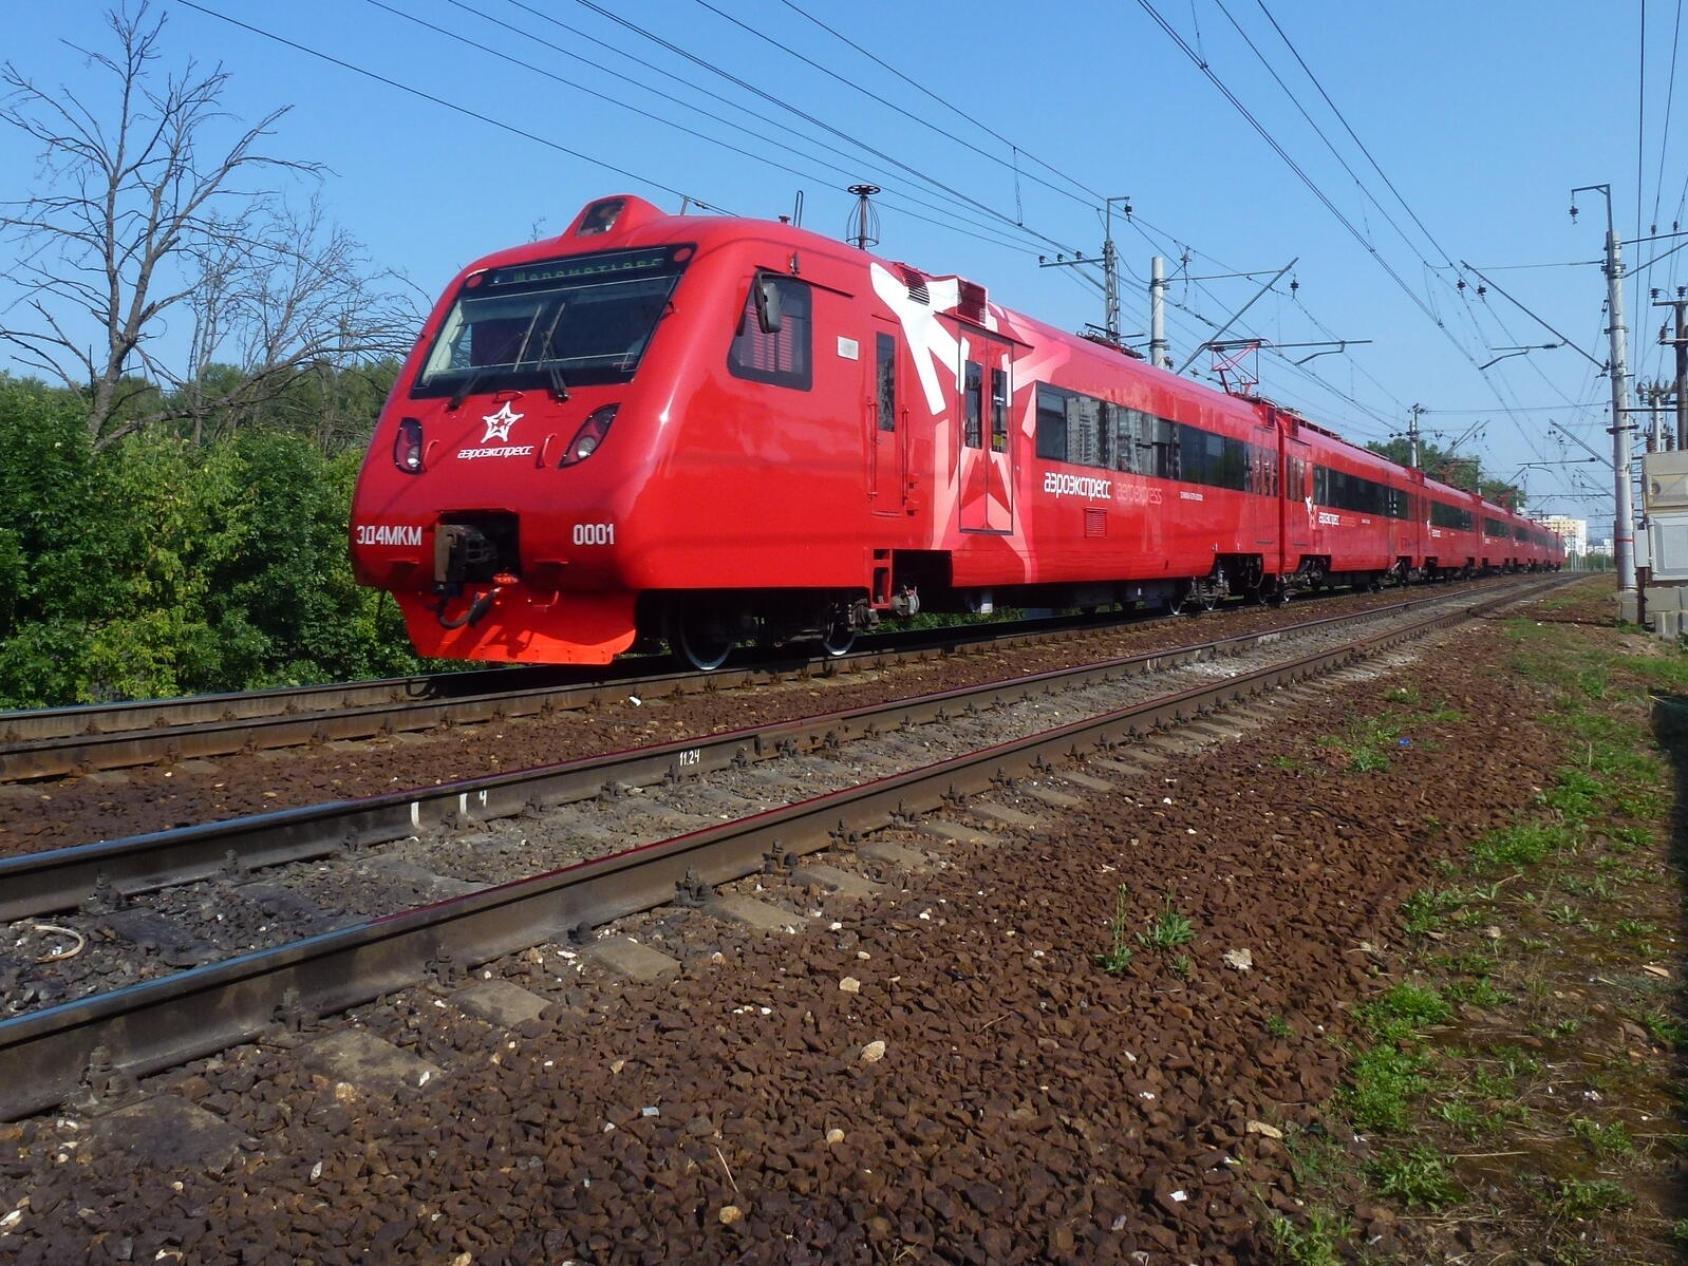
[60, 742]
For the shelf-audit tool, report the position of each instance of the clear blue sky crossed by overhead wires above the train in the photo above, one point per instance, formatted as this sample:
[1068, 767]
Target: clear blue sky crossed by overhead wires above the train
[1481, 116]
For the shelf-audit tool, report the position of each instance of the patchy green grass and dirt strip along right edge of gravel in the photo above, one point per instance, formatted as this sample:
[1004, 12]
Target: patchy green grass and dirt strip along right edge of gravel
[1513, 1078]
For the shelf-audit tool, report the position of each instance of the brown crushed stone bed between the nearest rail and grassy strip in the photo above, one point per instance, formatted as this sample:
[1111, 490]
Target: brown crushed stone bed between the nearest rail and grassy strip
[1027, 1106]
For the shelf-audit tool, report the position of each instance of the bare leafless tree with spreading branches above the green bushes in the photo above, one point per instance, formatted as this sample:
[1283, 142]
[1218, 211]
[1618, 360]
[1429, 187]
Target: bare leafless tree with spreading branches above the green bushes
[146, 215]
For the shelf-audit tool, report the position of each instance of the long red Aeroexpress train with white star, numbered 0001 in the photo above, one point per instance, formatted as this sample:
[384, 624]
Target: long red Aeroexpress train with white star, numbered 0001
[708, 430]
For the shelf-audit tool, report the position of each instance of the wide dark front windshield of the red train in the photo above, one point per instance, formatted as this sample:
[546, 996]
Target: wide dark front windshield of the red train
[576, 322]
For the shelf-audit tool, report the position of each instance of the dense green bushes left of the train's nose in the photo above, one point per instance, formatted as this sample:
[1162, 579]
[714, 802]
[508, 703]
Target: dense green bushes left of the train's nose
[158, 568]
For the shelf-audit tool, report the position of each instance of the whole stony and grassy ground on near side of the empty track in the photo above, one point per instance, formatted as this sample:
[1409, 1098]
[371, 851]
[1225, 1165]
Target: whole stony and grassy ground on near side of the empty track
[1147, 1014]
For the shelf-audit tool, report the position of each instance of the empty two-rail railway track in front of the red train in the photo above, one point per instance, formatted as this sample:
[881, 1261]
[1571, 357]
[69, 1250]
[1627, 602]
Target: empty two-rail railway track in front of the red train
[154, 1024]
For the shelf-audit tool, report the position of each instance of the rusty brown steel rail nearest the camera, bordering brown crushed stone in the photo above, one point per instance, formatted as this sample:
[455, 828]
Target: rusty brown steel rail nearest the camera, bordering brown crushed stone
[50, 1056]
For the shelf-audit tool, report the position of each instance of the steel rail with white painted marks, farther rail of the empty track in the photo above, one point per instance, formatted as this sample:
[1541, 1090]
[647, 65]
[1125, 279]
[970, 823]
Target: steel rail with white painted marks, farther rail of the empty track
[41, 884]
